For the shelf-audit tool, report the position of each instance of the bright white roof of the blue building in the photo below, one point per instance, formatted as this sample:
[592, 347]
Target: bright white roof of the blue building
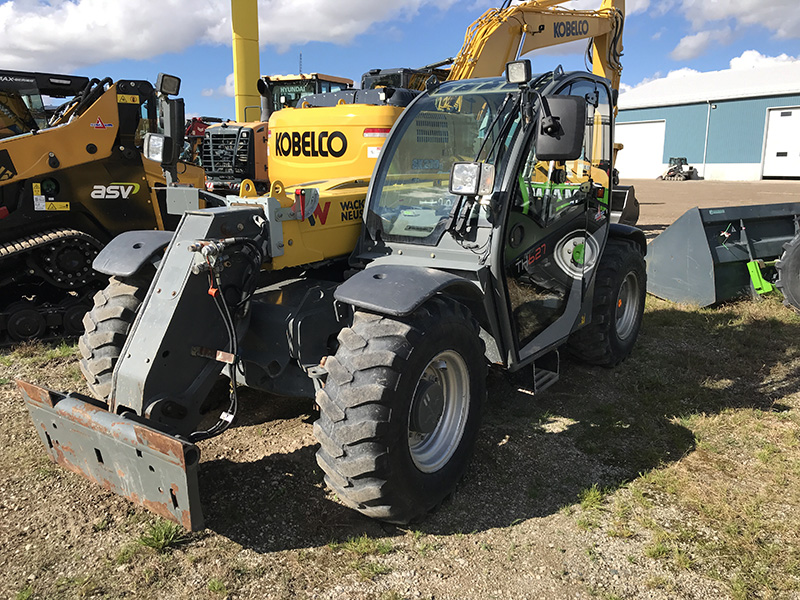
[689, 87]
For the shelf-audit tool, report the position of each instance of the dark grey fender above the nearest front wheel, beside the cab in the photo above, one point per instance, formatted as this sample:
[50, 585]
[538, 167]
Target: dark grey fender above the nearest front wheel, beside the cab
[398, 290]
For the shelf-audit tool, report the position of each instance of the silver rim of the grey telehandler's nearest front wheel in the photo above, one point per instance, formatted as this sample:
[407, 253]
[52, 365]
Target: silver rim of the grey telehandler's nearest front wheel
[439, 410]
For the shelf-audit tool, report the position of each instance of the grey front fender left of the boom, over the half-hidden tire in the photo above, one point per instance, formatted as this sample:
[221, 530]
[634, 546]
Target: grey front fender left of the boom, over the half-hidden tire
[130, 251]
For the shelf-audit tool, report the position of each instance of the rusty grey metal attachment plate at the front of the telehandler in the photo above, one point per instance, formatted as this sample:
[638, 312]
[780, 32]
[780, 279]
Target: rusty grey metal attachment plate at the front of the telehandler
[149, 467]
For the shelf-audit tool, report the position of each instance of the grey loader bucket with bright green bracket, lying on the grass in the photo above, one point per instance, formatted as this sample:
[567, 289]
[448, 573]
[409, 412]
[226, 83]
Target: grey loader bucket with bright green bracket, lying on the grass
[712, 255]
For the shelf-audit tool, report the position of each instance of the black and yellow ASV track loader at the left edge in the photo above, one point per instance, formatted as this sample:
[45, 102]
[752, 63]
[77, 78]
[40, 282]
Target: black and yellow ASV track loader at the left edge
[72, 178]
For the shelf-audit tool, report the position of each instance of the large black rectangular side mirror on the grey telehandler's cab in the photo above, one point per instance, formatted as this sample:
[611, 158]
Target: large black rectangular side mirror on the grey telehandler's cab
[559, 134]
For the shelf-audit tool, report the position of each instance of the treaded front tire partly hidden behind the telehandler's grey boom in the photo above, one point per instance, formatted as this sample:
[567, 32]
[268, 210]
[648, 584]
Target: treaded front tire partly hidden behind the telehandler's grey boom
[106, 328]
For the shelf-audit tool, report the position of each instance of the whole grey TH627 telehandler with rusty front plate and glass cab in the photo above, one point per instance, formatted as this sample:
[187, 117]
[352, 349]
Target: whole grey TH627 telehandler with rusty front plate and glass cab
[484, 240]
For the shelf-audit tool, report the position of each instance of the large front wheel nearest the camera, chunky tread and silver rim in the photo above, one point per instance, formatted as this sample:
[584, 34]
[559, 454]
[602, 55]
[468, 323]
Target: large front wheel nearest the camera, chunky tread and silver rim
[400, 410]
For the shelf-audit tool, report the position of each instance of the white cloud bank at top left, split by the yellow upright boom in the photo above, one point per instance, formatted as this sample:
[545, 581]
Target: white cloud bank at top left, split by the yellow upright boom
[65, 35]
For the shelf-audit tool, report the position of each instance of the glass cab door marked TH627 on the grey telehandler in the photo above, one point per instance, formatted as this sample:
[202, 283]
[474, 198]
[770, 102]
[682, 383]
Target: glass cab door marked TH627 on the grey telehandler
[554, 233]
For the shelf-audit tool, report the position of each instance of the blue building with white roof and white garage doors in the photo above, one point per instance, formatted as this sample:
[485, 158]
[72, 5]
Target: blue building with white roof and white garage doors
[734, 125]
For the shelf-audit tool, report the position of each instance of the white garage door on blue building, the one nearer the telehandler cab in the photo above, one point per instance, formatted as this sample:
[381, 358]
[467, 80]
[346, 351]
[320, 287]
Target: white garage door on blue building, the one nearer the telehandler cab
[643, 154]
